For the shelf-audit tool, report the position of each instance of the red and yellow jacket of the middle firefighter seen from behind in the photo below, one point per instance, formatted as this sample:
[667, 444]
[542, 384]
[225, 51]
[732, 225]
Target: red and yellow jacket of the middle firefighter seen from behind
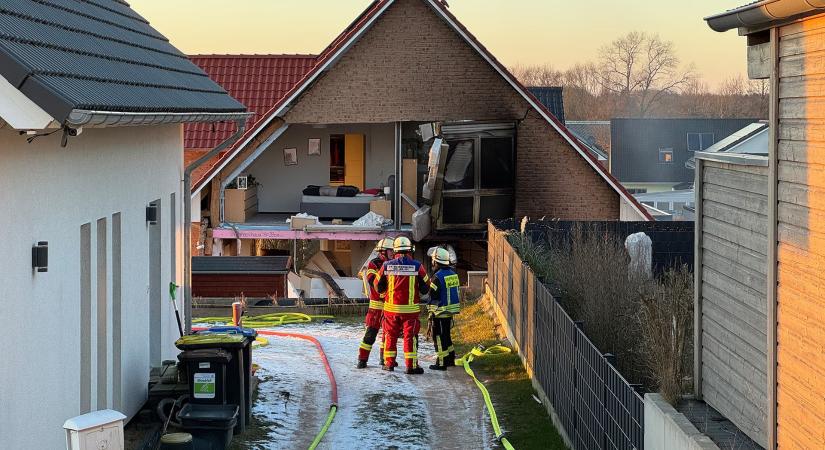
[403, 280]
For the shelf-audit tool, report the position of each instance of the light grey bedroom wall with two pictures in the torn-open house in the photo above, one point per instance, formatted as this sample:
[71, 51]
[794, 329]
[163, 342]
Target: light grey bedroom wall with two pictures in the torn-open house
[281, 186]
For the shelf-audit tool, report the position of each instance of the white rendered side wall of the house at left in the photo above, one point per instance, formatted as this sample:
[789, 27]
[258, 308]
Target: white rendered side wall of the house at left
[62, 350]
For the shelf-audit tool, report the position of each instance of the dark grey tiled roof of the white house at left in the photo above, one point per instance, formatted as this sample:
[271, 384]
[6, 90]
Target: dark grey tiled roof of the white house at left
[86, 58]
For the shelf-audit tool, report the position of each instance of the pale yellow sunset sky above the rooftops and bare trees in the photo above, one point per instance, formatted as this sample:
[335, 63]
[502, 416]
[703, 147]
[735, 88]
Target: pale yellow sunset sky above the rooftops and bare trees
[556, 32]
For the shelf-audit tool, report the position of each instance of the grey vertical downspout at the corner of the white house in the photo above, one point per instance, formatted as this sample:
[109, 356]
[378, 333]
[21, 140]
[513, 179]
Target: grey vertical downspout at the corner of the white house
[187, 215]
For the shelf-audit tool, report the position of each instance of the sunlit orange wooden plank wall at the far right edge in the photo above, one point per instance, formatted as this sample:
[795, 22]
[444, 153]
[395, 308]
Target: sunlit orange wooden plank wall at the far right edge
[801, 235]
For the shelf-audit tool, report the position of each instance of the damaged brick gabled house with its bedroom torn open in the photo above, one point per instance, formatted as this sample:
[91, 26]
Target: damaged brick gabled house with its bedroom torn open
[362, 116]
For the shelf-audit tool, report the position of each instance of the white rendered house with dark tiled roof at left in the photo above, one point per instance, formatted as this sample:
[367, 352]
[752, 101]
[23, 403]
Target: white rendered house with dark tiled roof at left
[92, 99]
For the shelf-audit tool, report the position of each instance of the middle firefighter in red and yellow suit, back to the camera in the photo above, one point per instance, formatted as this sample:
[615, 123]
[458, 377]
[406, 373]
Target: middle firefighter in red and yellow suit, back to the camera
[404, 280]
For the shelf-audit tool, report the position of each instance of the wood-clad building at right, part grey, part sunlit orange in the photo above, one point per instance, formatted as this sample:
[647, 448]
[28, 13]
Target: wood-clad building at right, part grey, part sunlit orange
[775, 232]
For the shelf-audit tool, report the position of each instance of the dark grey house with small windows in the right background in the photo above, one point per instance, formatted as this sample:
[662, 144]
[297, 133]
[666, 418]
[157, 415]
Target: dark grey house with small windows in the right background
[649, 155]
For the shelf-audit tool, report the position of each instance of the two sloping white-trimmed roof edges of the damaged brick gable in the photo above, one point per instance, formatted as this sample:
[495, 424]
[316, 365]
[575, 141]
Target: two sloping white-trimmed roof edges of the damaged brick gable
[351, 35]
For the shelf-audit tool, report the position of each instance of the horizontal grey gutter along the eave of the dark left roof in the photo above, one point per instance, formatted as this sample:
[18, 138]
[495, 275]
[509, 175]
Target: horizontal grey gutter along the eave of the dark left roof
[87, 118]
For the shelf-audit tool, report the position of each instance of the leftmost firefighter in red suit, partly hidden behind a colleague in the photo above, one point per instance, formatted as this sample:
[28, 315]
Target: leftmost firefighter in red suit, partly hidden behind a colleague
[375, 314]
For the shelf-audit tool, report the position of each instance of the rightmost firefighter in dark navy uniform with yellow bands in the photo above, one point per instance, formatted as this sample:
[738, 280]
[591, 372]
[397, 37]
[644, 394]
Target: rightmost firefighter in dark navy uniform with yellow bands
[443, 305]
